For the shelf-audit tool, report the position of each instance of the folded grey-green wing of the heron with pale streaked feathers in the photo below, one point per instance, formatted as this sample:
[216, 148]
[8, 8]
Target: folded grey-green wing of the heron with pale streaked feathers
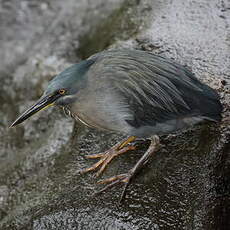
[154, 88]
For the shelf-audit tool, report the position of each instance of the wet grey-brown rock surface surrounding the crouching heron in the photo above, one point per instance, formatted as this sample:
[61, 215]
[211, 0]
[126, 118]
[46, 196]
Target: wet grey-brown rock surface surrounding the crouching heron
[186, 186]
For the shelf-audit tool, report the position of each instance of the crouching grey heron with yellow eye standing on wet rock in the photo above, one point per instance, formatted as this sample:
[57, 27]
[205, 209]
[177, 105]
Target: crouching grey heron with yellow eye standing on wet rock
[132, 92]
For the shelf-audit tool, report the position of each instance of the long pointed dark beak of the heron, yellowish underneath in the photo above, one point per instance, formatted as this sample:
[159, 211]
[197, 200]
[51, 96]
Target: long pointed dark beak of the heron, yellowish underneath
[43, 103]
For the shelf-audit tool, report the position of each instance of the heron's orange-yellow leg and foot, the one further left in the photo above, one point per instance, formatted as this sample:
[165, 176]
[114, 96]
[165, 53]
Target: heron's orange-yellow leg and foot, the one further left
[106, 157]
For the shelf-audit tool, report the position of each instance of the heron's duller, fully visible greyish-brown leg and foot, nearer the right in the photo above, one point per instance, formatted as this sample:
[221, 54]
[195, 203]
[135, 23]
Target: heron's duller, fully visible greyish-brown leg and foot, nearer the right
[126, 177]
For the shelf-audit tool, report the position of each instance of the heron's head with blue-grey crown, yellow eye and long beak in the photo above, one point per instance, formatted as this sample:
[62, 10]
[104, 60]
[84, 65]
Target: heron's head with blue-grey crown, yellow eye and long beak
[62, 90]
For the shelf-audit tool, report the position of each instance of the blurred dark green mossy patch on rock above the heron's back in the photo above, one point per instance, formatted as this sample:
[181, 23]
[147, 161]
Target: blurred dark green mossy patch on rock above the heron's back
[120, 25]
